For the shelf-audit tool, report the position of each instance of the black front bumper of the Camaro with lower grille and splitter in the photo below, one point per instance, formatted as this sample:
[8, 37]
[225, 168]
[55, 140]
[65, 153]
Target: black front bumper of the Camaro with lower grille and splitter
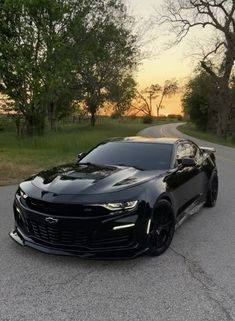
[83, 237]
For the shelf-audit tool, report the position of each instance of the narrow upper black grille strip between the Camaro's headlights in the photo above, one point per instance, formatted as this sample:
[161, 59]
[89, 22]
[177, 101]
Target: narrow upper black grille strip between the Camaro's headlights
[58, 209]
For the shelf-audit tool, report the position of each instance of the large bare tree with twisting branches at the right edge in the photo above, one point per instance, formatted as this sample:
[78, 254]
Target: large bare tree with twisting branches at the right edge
[218, 15]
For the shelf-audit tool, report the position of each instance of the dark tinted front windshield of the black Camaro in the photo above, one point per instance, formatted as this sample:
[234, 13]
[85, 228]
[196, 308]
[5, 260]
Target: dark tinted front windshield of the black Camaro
[146, 156]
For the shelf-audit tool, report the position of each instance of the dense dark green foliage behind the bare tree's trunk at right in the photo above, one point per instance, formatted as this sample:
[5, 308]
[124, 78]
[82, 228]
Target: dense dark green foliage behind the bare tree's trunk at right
[204, 104]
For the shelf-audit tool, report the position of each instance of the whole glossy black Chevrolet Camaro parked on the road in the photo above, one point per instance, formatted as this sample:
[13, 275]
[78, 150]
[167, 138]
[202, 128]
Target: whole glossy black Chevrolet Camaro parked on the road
[123, 198]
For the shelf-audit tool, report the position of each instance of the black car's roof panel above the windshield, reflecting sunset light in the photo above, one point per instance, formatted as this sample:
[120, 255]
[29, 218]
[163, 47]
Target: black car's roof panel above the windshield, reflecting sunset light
[142, 139]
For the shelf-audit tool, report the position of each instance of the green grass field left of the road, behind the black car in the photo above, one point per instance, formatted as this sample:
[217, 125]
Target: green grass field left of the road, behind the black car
[23, 156]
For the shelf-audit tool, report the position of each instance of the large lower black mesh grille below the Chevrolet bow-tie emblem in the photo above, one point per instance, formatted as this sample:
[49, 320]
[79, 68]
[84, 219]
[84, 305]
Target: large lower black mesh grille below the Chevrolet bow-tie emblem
[57, 236]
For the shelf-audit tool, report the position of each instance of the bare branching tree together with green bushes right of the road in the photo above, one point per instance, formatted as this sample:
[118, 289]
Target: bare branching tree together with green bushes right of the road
[209, 98]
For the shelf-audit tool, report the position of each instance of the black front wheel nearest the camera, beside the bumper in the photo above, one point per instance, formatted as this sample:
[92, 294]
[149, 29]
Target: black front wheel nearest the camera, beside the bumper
[162, 228]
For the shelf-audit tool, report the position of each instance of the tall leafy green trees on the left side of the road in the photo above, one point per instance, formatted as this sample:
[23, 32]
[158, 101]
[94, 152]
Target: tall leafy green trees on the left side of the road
[59, 54]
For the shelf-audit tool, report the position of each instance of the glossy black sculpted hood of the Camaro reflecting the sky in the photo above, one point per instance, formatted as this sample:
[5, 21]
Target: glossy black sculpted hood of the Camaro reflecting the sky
[90, 179]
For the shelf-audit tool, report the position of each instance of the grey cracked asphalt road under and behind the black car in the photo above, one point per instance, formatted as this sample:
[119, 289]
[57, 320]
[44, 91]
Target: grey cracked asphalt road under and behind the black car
[193, 281]
